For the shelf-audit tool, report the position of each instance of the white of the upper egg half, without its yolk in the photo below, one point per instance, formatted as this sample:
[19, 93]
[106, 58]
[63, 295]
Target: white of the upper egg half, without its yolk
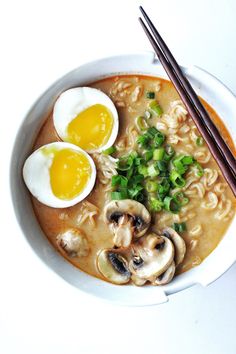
[73, 101]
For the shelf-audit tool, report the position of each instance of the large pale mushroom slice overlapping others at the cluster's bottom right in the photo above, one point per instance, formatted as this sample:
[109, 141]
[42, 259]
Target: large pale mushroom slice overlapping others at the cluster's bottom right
[152, 255]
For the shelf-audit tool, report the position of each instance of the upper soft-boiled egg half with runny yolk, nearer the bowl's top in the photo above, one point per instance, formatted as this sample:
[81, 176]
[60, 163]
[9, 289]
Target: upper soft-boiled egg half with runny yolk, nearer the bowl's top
[86, 117]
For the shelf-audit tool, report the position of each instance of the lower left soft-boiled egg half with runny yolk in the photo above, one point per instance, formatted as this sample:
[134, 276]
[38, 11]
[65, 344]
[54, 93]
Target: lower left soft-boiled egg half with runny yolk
[59, 174]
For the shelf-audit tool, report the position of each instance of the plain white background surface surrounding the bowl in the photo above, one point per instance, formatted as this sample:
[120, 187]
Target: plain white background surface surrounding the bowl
[39, 312]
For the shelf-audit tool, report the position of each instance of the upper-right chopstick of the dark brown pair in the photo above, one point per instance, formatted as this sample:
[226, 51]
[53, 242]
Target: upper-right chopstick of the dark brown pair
[192, 95]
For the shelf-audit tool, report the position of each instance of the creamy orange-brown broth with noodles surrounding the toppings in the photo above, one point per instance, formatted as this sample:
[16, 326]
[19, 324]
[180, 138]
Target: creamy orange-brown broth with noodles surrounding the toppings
[210, 207]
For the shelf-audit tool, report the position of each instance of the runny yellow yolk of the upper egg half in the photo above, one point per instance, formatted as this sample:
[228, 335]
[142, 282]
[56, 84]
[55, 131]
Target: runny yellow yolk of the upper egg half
[91, 128]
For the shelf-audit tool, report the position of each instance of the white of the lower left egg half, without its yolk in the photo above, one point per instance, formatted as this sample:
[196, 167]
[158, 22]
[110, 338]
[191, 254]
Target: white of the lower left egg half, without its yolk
[37, 176]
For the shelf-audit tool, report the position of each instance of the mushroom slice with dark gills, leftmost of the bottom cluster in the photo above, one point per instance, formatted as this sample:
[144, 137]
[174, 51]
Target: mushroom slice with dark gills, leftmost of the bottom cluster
[113, 266]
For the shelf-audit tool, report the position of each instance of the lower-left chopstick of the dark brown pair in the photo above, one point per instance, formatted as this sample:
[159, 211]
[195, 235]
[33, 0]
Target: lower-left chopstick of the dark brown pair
[212, 142]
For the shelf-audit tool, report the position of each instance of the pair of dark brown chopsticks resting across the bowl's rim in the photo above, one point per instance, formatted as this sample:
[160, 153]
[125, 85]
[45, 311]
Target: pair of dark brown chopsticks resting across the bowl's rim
[206, 127]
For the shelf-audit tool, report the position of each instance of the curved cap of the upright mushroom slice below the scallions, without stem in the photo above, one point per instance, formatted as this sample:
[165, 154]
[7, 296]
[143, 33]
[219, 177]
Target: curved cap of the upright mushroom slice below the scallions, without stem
[136, 212]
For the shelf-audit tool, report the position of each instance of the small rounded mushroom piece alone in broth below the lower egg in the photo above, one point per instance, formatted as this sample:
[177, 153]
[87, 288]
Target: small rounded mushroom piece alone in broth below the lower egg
[74, 243]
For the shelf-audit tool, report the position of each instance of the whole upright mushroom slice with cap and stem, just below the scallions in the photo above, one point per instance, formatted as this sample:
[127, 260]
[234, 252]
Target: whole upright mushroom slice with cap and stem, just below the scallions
[128, 219]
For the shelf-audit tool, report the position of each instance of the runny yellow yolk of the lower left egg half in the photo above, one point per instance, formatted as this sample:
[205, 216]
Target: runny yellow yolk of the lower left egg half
[69, 173]
